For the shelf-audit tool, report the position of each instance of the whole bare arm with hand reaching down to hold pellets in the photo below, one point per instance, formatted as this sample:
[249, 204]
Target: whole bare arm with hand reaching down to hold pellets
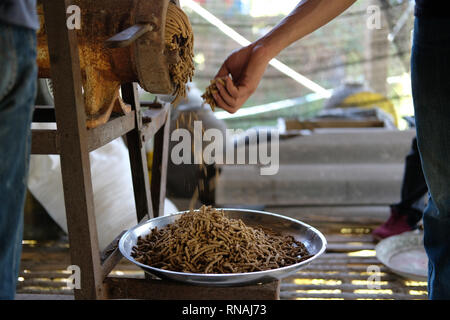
[247, 65]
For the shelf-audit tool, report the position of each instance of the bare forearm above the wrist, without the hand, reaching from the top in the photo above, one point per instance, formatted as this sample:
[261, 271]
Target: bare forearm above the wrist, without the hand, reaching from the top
[308, 16]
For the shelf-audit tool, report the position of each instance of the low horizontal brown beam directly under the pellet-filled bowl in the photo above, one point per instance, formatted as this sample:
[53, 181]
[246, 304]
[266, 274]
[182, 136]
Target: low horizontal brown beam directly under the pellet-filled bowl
[126, 288]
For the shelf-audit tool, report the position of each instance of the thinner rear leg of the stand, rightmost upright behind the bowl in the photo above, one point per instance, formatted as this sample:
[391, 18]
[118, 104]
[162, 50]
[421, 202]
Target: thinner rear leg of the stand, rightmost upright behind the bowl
[159, 165]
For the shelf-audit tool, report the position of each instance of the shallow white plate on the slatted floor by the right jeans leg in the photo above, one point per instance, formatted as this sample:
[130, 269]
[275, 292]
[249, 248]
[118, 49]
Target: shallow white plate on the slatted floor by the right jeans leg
[405, 255]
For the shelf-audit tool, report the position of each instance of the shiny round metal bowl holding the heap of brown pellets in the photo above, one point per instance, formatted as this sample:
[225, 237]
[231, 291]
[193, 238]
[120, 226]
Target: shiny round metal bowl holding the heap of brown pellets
[314, 241]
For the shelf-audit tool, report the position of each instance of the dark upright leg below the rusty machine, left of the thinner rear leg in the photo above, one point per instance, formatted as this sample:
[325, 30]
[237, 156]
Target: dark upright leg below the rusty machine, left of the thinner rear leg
[138, 156]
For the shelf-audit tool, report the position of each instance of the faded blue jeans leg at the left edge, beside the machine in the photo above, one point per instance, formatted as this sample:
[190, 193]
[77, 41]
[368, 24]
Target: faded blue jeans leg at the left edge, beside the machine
[18, 73]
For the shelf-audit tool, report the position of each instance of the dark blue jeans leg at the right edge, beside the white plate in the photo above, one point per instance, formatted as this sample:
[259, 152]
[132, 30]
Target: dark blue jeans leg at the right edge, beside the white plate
[430, 74]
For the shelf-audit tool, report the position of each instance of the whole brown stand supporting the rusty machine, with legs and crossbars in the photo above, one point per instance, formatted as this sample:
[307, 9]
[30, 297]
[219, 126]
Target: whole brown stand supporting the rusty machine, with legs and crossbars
[73, 142]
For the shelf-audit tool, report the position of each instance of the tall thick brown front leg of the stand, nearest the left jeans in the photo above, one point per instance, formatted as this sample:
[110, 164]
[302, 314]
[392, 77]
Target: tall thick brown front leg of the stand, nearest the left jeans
[75, 164]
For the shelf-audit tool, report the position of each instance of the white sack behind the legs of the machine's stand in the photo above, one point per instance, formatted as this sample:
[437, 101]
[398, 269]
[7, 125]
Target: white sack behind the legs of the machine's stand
[115, 209]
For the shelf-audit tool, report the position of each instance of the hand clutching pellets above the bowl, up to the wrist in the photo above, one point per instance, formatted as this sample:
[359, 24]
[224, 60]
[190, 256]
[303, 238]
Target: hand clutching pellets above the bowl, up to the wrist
[246, 66]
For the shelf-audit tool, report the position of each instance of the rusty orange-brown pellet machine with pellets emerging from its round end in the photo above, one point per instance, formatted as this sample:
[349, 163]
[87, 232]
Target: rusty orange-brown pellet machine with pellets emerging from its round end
[121, 41]
